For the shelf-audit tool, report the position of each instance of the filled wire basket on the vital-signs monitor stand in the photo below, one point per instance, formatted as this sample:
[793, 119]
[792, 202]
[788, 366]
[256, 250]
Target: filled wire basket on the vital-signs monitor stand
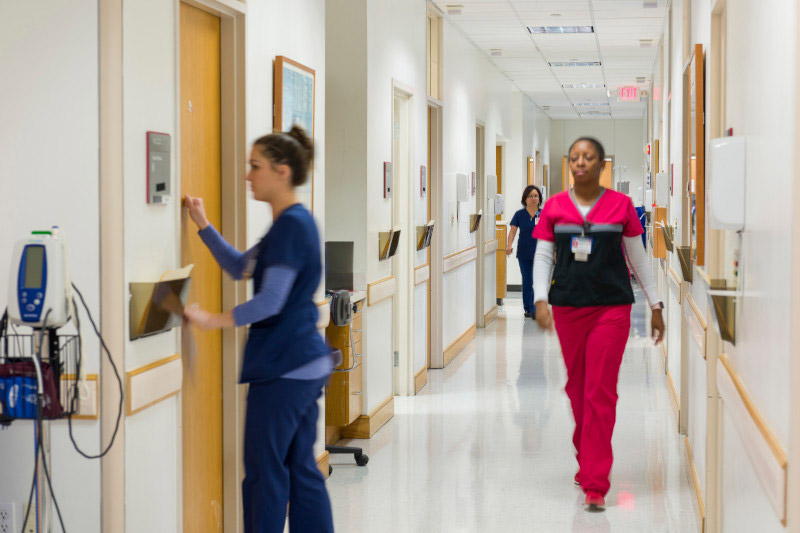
[60, 366]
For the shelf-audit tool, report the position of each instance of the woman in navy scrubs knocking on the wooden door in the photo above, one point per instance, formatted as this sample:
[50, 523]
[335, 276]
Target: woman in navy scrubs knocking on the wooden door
[286, 362]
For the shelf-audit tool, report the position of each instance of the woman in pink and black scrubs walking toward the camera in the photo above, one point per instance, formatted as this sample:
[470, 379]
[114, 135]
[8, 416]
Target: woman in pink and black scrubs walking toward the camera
[585, 236]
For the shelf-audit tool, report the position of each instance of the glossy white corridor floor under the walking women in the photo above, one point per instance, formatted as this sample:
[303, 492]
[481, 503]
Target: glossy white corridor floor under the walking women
[486, 446]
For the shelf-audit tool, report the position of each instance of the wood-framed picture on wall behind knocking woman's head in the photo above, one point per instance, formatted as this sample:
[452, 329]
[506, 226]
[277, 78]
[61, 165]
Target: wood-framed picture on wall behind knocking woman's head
[293, 89]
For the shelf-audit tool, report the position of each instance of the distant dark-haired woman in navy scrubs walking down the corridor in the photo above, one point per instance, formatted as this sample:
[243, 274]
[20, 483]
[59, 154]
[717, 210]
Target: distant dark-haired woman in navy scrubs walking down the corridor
[525, 220]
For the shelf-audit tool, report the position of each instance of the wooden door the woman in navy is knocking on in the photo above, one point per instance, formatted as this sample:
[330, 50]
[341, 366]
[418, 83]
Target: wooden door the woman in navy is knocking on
[201, 177]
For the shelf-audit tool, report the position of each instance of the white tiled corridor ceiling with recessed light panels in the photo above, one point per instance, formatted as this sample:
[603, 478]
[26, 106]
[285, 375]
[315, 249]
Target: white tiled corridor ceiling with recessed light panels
[625, 42]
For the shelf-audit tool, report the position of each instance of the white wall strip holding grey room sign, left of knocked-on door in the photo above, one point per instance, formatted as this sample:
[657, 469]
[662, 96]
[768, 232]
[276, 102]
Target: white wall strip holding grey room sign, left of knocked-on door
[152, 437]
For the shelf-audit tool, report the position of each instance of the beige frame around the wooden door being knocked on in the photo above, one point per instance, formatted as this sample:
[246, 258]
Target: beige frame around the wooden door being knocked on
[234, 145]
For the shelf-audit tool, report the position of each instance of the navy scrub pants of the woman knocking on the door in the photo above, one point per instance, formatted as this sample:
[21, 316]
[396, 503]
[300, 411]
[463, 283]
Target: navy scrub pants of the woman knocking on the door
[280, 468]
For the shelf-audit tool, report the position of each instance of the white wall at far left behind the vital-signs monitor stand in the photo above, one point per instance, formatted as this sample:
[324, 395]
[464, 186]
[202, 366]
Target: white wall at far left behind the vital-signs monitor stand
[49, 176]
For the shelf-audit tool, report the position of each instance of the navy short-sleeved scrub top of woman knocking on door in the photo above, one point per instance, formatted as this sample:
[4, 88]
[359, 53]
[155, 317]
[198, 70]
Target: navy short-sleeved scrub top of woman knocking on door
[288, 340]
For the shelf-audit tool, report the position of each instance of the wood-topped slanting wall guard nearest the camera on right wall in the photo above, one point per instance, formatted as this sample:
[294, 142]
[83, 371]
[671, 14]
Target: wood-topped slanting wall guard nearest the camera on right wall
[767, 455]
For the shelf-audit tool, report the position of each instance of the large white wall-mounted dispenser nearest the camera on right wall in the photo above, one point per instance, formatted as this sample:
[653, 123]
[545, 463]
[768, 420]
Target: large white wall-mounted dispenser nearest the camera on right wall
[726, 183]
